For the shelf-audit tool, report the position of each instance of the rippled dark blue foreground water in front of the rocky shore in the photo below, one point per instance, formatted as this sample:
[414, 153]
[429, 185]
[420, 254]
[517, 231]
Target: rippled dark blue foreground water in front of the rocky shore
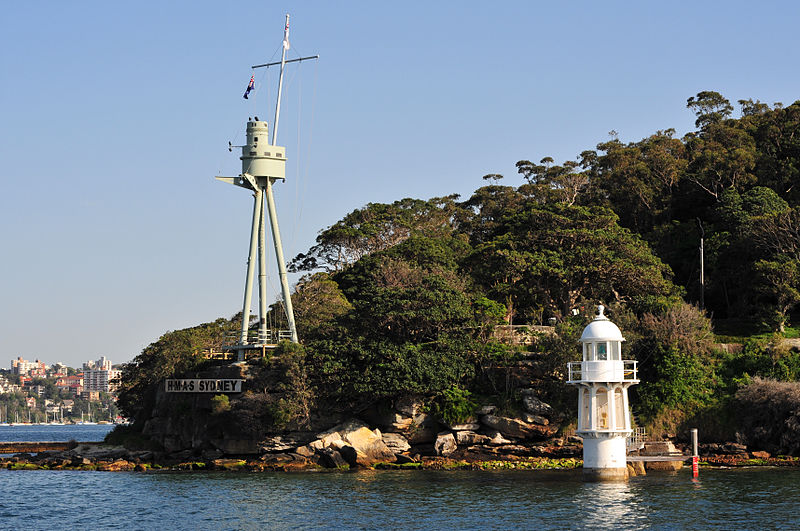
[749, 498]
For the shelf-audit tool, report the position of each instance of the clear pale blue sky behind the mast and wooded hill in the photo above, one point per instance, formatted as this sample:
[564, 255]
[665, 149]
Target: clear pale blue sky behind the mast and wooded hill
[116, 116]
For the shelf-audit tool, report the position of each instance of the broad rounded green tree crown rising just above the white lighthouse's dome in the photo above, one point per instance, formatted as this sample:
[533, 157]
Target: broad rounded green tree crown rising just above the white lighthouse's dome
[551, 256]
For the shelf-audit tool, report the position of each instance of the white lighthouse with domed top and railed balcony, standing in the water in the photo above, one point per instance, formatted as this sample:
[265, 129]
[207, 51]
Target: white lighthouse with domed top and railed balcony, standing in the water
[602, 379]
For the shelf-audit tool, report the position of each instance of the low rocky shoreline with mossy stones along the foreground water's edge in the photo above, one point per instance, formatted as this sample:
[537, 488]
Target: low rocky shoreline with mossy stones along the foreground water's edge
[104, 457]
